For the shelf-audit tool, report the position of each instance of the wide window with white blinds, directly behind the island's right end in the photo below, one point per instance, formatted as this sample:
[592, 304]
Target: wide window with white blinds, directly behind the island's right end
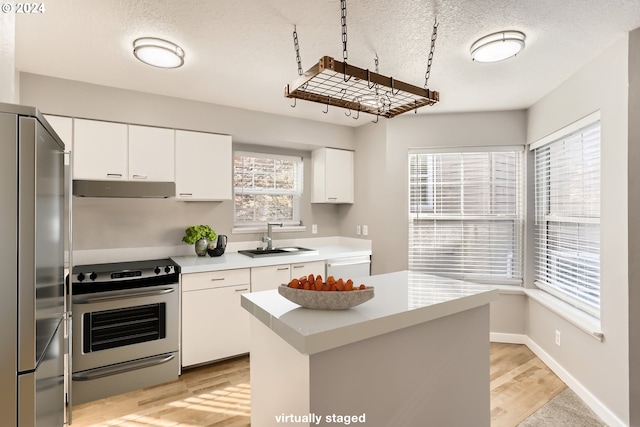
[466, 213]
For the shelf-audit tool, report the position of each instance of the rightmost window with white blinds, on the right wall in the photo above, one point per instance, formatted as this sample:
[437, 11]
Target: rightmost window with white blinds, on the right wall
[567, 227]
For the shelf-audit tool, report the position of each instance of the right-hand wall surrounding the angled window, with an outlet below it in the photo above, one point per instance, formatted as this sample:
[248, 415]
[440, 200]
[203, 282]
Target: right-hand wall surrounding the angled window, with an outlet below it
[602, 368]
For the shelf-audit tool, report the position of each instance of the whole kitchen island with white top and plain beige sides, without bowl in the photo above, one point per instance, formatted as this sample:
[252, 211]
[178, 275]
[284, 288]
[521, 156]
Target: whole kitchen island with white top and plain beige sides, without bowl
[416, 354]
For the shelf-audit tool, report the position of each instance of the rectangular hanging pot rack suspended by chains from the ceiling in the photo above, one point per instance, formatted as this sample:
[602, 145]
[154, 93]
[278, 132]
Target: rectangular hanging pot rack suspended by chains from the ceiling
[339, 84]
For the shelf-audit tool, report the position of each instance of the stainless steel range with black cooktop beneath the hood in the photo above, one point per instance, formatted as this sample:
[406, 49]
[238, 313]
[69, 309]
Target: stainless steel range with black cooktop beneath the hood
[125, 327]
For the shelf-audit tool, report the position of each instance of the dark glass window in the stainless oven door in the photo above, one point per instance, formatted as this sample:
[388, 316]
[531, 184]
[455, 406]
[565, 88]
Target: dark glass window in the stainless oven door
[124, 326]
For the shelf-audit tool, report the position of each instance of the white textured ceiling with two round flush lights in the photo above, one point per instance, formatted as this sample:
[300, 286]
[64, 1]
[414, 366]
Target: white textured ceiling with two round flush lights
[240, 52]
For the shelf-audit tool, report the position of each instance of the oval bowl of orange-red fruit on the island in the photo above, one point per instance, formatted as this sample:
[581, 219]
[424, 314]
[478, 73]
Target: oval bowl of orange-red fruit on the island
[312, 292]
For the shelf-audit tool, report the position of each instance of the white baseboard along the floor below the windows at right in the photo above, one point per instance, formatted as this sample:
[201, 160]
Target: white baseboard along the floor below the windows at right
[596, 405]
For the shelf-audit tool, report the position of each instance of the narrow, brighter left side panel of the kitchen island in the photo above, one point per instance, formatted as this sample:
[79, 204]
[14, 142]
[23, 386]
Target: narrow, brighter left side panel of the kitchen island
[279, 376]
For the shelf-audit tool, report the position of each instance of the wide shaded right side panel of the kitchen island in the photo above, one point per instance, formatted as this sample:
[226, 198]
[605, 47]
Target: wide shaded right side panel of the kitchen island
[435, 373]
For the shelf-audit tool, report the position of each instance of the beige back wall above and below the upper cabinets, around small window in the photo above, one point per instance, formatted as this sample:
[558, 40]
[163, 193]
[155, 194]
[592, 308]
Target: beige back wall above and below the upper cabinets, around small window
[141, 223]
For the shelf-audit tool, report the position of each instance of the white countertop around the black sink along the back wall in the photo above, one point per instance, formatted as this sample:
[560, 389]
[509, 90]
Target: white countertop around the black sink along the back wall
[233, 260]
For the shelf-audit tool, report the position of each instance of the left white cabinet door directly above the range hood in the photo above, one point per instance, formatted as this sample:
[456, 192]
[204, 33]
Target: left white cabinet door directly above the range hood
[99, 150]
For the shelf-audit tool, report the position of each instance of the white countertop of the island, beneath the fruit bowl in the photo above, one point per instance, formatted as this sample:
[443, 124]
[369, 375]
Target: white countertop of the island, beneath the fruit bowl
[402, 299]
